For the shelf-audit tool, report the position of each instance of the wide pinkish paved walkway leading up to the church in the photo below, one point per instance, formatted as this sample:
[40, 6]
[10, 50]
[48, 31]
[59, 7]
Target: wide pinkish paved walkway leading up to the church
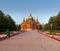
[29, 41]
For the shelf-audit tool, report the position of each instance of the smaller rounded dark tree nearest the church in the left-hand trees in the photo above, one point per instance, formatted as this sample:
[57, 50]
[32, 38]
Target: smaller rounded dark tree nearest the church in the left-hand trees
[11, 23]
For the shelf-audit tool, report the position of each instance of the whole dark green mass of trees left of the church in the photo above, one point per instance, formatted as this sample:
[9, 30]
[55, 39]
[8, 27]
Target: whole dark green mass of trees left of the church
[6, 22]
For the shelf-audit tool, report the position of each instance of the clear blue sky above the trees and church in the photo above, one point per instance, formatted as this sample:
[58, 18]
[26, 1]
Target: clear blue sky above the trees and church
[20, 9]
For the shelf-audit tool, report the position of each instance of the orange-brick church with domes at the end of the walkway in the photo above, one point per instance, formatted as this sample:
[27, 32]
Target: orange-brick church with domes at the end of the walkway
[30, 23]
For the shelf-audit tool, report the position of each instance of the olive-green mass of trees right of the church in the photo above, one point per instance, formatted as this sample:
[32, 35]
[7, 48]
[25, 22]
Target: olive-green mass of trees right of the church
[54, 21]
